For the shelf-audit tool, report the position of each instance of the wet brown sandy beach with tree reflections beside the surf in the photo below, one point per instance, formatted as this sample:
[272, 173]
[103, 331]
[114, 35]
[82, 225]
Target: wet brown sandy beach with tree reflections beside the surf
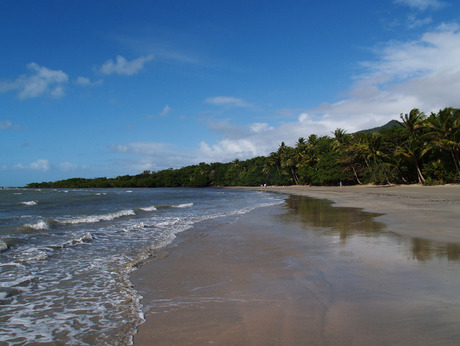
[344, 266]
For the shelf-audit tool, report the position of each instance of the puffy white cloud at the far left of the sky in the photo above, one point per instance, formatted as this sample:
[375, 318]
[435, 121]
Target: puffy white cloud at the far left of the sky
[39, 81]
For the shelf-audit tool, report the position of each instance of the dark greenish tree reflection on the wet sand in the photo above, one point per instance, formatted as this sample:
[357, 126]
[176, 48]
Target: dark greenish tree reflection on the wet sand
[348, 222]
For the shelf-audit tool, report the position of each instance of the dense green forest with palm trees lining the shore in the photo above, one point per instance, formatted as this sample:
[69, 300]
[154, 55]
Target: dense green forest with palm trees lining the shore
[417, 149]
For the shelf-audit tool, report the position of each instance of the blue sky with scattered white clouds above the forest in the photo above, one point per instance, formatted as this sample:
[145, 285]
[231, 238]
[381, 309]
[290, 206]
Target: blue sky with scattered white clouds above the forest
[111, 87]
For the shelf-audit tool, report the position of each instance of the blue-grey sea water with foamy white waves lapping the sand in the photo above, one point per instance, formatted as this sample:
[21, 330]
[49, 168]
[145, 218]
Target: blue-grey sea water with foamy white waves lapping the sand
[66, 255]
